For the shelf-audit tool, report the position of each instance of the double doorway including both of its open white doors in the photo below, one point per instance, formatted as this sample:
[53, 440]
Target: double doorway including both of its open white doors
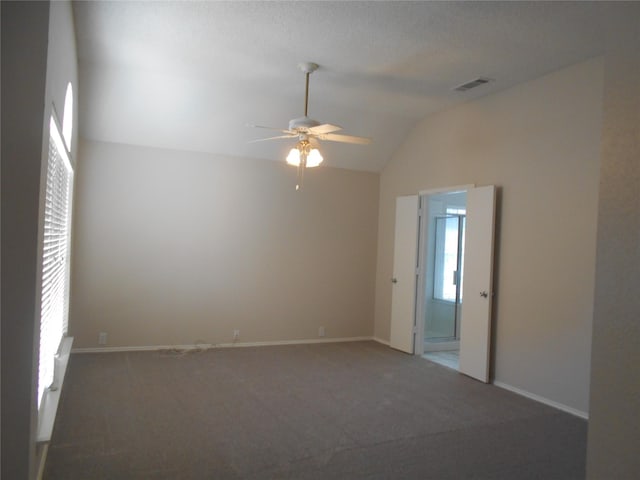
[417, 285]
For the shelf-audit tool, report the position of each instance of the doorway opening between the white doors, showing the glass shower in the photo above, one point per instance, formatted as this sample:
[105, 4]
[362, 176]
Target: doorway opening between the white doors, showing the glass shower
[442, 261]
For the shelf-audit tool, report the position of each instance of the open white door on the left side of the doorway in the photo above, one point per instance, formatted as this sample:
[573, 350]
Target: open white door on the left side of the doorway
[405, 251]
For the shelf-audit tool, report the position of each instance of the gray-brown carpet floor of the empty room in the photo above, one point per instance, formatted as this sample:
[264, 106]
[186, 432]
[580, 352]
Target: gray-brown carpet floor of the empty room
[326, 411]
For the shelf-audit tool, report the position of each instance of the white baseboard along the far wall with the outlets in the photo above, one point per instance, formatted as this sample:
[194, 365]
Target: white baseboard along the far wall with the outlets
[204, 346]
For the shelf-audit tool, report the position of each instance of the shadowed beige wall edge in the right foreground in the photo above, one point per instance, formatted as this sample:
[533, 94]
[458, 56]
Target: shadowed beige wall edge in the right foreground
[614, 424]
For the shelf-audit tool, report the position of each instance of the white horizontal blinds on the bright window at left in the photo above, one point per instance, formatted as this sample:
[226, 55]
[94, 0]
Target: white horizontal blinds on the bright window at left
[55, 257]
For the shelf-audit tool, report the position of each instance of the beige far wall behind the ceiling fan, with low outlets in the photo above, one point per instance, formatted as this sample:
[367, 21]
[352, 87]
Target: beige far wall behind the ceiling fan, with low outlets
[176, 248]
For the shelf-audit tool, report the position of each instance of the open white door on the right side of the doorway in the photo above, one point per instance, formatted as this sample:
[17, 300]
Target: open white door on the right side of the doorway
[475, 329]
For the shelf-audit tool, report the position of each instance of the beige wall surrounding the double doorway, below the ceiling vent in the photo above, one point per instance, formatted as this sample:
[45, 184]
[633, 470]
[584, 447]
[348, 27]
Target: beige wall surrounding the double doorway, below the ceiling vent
[539, 143]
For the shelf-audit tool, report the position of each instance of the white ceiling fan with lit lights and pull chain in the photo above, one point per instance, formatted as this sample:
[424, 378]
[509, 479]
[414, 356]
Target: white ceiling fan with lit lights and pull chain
[308, 132]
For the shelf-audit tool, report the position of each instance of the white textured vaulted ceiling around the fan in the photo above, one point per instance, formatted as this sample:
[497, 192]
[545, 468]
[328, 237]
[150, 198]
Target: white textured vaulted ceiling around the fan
[192, 75]
